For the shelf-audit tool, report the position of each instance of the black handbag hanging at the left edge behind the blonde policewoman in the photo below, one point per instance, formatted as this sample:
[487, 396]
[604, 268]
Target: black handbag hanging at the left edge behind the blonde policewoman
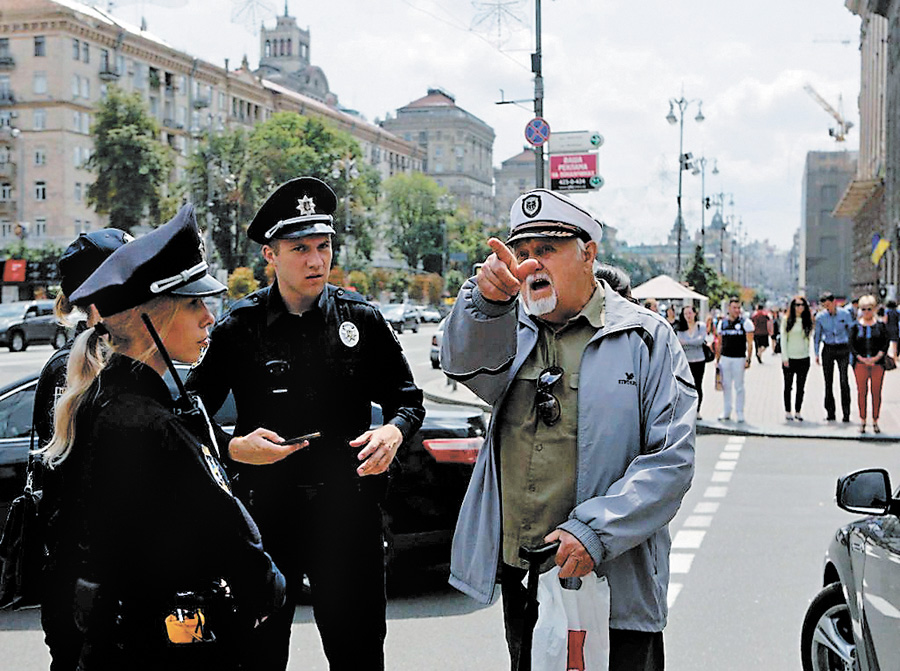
[22, 547]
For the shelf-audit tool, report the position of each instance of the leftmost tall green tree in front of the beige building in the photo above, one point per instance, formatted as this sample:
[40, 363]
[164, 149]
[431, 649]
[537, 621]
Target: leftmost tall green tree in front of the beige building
[131, 165]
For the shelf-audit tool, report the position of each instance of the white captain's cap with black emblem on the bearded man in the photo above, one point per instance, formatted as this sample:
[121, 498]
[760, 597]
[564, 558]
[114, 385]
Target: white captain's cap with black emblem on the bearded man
[544, 214]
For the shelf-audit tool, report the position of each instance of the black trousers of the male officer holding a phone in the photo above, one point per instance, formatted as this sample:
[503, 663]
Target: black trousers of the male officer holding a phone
[335, 538]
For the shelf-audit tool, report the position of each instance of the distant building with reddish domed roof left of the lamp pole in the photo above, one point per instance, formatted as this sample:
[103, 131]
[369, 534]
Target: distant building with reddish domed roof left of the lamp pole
[457, 148]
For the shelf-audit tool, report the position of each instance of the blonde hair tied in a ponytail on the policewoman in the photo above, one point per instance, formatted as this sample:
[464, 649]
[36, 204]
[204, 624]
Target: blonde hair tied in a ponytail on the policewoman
[90, 353]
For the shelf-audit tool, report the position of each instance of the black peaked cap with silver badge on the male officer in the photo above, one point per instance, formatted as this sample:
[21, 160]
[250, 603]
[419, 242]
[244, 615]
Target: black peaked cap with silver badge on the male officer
[300, 207]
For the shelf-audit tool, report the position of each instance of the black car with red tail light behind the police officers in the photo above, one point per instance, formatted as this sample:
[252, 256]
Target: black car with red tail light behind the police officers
[431, 477]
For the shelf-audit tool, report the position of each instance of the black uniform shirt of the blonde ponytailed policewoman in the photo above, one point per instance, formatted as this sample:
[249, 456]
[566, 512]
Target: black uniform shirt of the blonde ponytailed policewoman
[142, 507]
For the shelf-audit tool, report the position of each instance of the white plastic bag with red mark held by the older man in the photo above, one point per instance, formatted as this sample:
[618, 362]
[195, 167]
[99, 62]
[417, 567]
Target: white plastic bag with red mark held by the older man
[572, 631]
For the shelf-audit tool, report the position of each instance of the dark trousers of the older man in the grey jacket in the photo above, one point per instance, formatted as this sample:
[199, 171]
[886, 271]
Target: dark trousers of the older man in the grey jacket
[628, 650]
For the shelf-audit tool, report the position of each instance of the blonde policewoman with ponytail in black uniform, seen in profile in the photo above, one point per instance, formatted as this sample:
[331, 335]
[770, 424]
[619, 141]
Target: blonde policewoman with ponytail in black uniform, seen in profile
[171, 571]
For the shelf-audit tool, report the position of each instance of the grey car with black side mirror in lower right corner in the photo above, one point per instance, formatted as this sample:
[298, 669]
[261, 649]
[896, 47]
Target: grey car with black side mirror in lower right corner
[851, 624]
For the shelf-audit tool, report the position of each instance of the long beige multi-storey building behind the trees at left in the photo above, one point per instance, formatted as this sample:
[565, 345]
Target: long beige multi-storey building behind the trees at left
[57, 58]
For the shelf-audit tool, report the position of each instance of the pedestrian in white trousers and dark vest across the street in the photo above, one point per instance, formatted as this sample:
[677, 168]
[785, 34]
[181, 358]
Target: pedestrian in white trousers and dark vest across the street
[734, 351]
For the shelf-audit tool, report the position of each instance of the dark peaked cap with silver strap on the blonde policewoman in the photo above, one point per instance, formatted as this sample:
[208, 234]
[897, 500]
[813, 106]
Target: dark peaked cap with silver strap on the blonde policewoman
[168, 260]
